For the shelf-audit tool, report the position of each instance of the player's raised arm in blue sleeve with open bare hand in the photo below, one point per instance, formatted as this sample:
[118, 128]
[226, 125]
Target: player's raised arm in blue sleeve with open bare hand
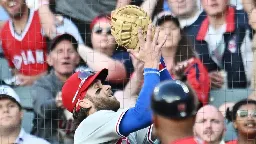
[150, 52]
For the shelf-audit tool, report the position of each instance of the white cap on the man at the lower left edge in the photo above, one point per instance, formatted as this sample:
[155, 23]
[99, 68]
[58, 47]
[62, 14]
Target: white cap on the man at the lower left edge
[6, 91]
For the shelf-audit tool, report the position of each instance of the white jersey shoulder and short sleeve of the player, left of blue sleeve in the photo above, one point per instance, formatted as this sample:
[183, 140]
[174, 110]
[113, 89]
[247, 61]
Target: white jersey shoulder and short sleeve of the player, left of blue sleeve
[100, 127]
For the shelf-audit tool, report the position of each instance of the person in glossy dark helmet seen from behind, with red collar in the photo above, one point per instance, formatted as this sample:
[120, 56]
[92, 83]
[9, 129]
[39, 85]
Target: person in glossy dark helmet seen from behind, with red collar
[174, 106]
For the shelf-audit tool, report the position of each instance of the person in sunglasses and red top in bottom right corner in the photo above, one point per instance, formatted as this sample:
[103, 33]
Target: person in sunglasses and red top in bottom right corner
[243, 116]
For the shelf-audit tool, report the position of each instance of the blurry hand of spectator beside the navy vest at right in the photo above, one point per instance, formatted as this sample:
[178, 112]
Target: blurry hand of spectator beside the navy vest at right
[217, 80]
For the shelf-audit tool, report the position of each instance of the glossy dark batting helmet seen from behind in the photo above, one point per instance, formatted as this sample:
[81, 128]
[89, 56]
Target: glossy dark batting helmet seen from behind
[173, 99]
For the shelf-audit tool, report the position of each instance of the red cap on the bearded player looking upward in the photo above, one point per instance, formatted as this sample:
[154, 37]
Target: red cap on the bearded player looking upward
[76, 86]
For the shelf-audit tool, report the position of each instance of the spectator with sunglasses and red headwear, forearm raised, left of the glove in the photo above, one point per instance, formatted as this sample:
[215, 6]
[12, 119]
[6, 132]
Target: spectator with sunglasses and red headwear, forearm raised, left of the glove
[104, 54]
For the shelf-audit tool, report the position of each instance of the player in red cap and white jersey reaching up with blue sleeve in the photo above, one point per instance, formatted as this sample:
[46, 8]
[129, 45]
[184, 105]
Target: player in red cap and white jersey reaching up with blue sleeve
[95, 109]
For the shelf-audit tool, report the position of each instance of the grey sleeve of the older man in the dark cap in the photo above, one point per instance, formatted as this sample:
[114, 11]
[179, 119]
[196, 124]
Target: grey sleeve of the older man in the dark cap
[43, 101]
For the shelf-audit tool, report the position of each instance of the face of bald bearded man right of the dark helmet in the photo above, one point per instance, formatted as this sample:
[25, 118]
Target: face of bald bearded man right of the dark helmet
[209, 125]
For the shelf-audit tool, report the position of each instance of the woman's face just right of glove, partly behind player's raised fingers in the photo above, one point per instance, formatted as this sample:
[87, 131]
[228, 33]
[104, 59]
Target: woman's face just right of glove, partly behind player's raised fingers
[173, 34]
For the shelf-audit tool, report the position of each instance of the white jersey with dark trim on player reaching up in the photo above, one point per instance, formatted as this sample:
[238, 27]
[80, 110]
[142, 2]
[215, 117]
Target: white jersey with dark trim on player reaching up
[102, 127]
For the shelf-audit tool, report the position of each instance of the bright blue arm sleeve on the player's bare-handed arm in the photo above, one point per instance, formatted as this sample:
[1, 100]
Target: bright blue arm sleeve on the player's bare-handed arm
[140, 116]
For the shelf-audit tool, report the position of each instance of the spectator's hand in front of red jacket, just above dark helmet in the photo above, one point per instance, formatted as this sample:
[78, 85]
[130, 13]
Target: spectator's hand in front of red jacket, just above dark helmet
[179, 69]
